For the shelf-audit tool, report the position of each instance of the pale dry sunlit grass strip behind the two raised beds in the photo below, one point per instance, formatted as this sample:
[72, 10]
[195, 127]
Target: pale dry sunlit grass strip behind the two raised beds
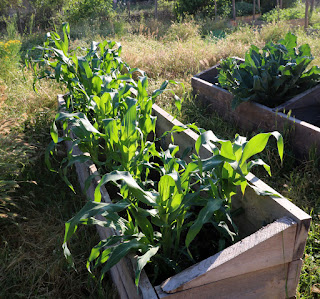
[181, 58]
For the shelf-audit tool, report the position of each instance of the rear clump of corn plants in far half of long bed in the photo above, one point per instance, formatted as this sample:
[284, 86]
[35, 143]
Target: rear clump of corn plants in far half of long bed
[110, 112]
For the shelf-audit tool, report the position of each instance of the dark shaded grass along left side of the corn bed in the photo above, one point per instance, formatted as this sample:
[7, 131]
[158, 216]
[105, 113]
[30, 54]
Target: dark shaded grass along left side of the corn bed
[35, 204]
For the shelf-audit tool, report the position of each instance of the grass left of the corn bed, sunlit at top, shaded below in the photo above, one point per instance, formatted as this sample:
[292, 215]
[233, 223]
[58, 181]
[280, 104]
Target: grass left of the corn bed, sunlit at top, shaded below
[34, 203]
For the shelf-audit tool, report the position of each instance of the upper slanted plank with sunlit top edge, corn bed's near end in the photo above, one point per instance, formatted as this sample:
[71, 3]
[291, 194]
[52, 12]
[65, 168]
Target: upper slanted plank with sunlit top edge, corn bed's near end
[268, 247]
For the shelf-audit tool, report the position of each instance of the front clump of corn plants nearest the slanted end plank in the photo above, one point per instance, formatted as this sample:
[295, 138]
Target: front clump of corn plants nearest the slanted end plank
[157, 217]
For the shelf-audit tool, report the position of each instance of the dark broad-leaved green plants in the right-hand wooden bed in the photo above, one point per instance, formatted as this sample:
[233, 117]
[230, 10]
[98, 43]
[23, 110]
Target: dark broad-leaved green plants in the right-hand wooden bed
[271, 77]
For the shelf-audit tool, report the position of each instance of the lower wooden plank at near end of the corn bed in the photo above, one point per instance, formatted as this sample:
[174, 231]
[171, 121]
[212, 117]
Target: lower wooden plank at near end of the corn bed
[267, 283]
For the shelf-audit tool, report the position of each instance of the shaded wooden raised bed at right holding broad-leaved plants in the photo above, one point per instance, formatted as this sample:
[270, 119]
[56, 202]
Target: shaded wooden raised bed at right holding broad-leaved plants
[303, 122]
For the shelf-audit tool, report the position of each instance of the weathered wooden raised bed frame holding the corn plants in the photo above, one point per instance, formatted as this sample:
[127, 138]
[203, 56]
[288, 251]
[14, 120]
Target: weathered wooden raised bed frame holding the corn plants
[265, 263]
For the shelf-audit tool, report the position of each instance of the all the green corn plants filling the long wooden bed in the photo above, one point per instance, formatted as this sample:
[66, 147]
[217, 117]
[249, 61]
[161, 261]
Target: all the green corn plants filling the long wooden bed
[108, 116]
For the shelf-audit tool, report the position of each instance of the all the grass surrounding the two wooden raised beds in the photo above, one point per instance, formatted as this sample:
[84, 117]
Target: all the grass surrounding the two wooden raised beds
[34, 203]
